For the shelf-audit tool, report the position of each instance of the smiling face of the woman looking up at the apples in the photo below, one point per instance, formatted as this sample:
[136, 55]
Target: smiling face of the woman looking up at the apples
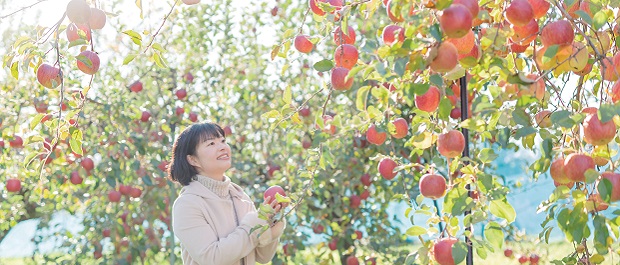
[212, 157]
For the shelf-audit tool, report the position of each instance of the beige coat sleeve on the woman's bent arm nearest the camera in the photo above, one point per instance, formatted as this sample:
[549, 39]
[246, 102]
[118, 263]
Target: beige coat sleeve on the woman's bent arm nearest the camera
[200, 240]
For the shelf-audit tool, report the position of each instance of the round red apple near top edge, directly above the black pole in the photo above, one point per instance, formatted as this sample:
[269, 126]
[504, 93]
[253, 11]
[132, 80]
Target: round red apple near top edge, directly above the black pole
[456, 21]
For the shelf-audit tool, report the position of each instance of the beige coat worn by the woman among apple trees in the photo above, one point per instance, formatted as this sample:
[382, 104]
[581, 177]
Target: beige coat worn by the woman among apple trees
[207, 229]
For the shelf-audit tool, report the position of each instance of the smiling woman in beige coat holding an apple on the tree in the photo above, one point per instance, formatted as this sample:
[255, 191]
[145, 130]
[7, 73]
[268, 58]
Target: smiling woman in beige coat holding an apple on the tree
[214, 219]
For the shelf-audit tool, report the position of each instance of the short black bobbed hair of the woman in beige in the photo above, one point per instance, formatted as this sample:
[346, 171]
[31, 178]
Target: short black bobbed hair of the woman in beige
[180, 170]
